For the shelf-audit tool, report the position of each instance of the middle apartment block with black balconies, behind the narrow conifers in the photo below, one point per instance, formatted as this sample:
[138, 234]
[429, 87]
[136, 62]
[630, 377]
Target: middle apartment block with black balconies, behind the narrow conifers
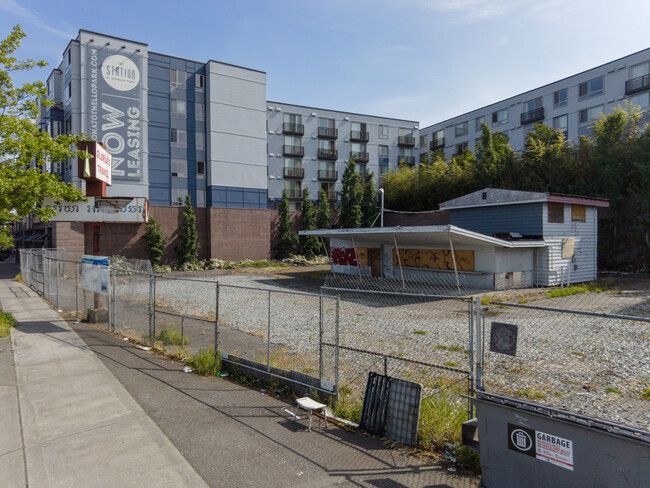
[308, 148]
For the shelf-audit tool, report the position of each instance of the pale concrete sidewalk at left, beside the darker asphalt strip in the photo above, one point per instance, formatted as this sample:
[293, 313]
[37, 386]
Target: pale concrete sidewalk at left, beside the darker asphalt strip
[67, 421]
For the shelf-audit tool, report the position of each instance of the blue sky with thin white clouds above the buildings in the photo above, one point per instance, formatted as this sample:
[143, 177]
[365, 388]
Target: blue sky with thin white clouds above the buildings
[422, 60]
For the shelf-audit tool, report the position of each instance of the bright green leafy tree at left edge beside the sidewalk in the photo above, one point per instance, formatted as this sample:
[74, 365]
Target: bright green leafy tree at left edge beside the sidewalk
[24, 148]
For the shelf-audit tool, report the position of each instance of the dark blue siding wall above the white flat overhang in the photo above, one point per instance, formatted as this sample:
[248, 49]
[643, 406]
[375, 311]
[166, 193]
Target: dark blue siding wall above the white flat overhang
[525, 219]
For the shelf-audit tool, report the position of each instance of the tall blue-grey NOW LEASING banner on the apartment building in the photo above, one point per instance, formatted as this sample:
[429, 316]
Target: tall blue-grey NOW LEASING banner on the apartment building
[115, 104]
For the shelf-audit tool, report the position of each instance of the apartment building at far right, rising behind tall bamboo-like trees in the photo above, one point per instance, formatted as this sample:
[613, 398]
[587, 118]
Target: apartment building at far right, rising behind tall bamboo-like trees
[570, 105]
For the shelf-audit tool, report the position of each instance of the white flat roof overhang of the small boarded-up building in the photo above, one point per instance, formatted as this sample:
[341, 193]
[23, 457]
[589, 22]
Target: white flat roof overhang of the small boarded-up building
[427, 235]
